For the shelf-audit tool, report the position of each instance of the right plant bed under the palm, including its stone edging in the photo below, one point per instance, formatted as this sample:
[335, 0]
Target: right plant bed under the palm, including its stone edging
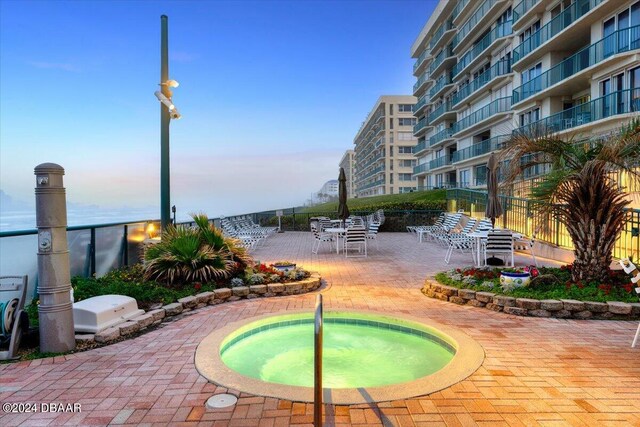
[545, 296]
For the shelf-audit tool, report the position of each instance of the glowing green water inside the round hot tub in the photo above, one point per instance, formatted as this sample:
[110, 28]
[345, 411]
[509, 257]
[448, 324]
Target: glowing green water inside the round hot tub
[358, 351]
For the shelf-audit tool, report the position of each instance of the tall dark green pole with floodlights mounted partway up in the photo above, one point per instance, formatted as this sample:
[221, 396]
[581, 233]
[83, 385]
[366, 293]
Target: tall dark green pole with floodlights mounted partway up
[168, 111]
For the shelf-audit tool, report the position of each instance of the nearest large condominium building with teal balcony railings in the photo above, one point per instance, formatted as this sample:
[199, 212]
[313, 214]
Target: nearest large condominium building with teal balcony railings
[488, 68]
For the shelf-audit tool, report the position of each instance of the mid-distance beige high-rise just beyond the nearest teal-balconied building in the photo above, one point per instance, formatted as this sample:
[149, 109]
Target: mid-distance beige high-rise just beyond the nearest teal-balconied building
[383, 149]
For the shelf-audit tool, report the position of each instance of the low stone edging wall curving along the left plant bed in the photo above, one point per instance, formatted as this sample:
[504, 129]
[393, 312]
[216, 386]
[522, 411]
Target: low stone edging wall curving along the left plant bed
[218, 296]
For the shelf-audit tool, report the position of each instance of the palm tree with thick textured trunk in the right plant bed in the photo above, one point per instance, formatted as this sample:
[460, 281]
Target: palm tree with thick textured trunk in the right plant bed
[580, 191]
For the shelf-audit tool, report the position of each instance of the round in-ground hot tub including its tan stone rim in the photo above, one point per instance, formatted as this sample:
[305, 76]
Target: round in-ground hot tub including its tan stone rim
[366, 357]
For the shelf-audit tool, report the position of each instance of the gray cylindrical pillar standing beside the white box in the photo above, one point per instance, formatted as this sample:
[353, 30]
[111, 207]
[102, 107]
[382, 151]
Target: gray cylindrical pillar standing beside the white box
[54, 279]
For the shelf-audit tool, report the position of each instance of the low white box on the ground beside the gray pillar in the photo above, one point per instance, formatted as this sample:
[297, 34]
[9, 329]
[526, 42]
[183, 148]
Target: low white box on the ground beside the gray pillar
[98, 313]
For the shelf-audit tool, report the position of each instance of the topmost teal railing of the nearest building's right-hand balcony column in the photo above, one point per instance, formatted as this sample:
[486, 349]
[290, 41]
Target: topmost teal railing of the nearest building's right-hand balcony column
[567, 17]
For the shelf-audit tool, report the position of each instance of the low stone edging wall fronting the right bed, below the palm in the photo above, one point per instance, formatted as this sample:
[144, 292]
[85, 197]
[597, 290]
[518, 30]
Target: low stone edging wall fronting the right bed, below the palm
[562, 309]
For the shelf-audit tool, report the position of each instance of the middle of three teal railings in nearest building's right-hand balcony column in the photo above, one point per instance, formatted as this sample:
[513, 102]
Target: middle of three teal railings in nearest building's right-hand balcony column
[620, 41]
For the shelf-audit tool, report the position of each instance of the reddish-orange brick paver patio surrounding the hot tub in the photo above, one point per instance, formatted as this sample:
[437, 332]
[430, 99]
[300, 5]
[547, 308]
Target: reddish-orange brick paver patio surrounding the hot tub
[536, 371]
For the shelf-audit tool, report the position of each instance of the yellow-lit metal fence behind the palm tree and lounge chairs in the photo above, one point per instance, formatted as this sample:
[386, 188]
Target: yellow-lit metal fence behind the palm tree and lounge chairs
[521, 215]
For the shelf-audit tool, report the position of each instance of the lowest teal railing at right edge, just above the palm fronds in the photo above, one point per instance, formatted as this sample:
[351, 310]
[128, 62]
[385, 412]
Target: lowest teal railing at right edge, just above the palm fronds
[615, 103]
